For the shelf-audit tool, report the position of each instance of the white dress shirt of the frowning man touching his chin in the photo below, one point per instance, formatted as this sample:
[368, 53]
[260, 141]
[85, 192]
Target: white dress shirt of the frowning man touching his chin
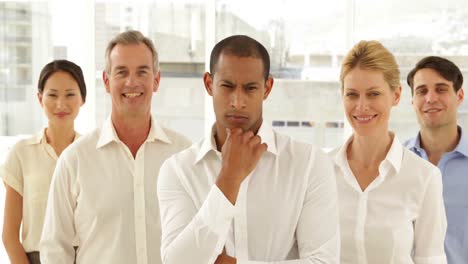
[286, 209]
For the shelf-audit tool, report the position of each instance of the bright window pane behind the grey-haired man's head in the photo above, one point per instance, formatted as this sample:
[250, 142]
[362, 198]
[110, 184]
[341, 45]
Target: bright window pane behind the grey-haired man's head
[178, 31]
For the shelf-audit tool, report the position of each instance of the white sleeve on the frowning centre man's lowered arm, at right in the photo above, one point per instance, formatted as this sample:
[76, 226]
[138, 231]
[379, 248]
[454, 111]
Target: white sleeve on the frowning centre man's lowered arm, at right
[317, 231]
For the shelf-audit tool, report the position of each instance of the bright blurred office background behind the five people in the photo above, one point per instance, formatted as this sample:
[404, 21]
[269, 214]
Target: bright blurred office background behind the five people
[306, 45]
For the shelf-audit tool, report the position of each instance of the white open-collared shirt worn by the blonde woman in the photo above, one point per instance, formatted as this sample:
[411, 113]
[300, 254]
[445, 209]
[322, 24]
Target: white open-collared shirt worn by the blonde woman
[399, 218]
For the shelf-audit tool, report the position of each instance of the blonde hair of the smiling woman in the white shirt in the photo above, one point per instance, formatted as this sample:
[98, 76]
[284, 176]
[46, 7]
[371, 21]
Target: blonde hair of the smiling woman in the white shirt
[371, 55]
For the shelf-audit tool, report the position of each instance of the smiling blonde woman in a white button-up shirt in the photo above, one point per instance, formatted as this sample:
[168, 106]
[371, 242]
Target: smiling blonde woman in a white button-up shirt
[391, 207]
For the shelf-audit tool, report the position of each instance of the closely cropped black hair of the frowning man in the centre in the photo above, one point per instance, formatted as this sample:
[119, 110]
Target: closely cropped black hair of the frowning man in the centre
[240, 46]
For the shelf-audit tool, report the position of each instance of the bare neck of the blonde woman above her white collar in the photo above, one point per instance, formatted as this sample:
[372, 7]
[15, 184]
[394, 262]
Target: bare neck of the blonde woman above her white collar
[369, 149]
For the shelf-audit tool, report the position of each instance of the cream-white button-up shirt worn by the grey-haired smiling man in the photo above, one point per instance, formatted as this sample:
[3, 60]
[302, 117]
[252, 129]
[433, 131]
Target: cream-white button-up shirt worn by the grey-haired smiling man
[108, 199]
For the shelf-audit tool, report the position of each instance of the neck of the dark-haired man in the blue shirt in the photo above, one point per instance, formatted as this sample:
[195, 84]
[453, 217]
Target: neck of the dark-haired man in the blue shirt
[438, 141]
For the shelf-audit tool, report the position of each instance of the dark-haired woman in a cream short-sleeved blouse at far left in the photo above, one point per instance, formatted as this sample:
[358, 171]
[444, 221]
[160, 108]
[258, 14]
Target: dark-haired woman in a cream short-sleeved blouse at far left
[28, 169]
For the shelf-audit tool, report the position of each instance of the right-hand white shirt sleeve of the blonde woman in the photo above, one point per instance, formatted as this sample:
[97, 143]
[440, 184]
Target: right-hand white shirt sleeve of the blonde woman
[431, 225]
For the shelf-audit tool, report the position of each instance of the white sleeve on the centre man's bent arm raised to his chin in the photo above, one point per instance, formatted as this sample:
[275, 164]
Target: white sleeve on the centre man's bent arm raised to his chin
[191, 235]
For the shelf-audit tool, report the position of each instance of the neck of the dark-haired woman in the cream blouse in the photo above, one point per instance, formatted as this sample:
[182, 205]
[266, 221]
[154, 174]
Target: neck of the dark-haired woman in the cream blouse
[59, 137]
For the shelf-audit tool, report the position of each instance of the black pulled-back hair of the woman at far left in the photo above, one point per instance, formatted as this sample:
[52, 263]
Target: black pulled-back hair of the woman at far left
[62, 66]
